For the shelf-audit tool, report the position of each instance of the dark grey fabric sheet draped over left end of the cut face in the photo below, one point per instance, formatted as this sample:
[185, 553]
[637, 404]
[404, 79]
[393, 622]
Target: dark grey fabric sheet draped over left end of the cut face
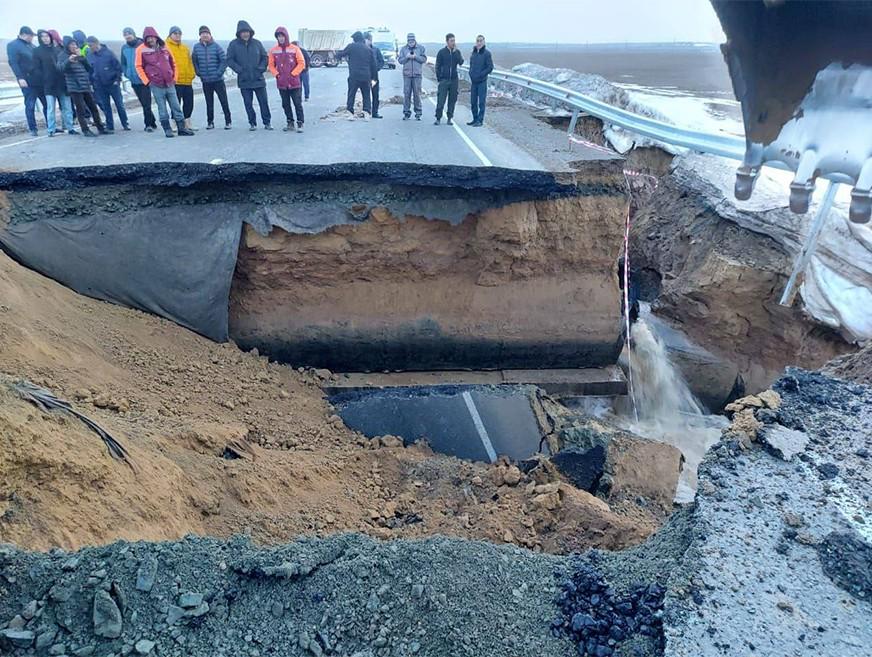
[179, 269]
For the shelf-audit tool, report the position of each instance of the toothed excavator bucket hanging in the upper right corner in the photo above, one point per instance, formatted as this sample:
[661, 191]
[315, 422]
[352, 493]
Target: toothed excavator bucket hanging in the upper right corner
[802, 70]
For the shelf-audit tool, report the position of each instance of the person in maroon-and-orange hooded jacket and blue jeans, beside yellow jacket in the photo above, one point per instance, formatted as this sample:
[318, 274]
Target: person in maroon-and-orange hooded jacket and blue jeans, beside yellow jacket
[156, 68]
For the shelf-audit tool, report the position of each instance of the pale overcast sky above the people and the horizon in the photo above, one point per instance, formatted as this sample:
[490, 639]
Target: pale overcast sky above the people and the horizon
[545, 21]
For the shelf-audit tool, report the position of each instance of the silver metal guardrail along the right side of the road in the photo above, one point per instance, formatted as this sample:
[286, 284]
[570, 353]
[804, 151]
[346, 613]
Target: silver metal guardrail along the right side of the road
[716, 144]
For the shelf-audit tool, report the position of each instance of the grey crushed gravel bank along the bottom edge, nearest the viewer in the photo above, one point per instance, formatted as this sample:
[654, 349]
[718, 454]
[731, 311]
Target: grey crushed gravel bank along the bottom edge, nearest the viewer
[344, 595]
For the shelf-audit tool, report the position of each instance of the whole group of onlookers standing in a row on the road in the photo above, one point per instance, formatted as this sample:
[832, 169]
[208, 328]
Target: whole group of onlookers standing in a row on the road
[82, 77]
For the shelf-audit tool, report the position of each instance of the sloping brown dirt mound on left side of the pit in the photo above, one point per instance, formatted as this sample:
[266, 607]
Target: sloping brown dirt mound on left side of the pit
[185, 406]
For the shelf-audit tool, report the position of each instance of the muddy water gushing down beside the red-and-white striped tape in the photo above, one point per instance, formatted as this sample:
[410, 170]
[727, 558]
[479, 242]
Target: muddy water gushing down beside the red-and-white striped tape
[666, 408]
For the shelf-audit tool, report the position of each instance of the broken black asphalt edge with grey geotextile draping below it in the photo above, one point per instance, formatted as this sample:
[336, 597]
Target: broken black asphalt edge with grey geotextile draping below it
[165, 237]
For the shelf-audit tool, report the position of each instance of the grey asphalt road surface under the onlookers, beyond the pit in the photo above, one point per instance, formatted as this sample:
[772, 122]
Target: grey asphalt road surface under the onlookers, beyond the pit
[330, 136]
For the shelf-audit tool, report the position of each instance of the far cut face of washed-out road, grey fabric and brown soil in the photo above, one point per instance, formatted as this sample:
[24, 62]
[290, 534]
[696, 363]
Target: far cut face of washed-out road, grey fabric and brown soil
[352, 267]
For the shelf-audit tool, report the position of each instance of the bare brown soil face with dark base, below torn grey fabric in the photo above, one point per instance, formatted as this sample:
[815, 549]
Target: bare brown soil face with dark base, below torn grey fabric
[529, 284]
